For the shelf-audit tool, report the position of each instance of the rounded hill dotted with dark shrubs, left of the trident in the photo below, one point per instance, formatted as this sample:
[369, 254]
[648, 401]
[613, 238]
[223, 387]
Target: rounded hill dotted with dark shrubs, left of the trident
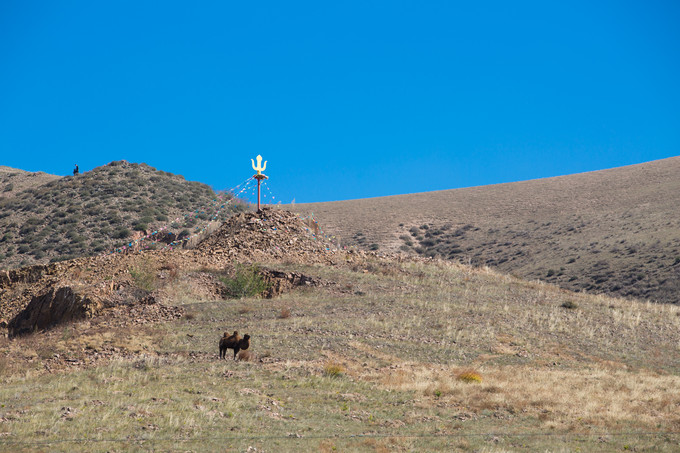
[57, 219]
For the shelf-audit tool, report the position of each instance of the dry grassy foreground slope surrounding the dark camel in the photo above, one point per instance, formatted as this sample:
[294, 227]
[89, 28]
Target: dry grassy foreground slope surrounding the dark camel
[389, 357]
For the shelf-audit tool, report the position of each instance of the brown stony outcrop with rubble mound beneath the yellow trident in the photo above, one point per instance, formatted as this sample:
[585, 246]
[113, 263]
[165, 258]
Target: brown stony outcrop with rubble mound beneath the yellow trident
[38, 297]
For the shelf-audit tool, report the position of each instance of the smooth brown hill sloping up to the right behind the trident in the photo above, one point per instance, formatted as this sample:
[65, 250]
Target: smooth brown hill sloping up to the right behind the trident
[611, 231]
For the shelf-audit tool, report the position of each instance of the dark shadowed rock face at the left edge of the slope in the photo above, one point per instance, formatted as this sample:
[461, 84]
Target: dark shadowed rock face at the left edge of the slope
[54, 307]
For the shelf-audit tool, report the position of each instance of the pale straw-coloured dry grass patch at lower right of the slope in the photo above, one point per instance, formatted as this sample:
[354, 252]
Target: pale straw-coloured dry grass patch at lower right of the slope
[597, 397]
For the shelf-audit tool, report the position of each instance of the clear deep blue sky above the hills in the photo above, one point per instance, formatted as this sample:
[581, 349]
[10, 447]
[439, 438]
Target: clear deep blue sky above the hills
[343, 99]
